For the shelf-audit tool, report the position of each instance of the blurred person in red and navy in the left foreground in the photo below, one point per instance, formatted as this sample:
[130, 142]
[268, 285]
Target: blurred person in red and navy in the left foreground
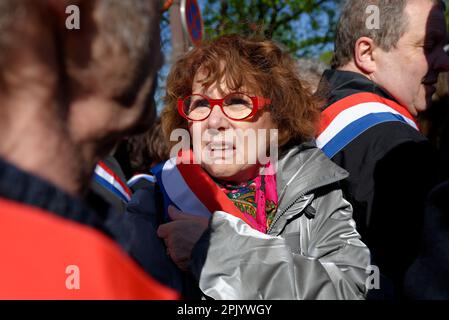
[66, 97]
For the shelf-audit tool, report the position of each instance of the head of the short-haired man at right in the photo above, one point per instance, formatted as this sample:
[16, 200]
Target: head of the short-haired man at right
[404, 54]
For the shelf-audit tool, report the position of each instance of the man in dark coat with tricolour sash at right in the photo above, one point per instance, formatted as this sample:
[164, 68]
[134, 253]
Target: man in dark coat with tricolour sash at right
[381, 78]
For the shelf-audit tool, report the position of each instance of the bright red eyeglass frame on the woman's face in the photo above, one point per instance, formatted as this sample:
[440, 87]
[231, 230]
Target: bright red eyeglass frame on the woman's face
[258, 104]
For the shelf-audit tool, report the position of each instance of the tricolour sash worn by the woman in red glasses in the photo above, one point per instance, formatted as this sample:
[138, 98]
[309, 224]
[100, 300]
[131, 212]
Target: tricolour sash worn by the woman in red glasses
[188, 187]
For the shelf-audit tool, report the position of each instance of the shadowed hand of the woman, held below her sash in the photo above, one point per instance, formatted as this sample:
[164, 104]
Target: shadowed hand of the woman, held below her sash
[181, 234]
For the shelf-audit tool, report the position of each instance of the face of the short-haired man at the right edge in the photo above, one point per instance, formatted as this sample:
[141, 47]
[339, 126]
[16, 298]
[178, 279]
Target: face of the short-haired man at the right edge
[410, 70]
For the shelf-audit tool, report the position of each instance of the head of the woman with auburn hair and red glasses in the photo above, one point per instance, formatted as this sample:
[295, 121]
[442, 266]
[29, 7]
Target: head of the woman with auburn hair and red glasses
[246, 73]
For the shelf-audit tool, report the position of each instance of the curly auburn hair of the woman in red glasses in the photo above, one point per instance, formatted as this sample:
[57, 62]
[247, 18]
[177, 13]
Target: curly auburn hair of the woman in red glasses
[255, 64]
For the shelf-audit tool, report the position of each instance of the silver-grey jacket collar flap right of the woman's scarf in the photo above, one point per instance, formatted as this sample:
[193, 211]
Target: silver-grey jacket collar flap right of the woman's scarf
[303, 169]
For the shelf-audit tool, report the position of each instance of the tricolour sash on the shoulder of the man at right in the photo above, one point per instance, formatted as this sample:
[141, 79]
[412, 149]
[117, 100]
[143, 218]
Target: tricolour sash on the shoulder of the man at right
[347, 118]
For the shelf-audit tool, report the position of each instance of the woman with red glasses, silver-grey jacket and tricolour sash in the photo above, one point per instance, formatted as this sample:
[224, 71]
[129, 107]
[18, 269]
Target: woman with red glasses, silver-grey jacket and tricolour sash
[241, 225]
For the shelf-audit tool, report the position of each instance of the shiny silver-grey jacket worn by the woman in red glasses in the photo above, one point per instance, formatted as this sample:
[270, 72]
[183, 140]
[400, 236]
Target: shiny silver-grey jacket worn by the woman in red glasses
[312, 249]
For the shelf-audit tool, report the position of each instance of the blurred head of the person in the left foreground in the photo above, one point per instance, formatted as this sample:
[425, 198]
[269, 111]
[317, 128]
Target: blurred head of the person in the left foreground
[90, 85]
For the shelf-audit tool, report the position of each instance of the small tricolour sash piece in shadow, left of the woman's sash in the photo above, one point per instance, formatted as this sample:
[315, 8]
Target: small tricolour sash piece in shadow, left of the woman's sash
[108, 179]
